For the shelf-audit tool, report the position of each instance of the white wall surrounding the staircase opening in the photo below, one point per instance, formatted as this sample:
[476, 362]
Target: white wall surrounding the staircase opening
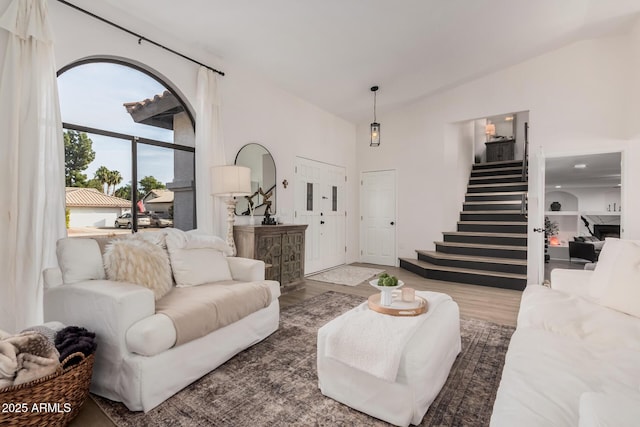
[578, 100]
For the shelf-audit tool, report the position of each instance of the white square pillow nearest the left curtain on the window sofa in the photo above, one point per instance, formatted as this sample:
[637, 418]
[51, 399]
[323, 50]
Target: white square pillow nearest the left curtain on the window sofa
[79, 259]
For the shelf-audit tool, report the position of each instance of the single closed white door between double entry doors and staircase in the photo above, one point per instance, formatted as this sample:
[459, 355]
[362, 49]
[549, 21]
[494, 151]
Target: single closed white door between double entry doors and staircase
[378, 217]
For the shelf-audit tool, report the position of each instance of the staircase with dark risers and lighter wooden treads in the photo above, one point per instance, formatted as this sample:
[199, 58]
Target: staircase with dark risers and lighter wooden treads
[490, 246]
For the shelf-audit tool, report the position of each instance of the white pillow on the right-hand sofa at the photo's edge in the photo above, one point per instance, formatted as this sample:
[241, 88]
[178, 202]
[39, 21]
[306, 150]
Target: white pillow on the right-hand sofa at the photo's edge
[623, 290]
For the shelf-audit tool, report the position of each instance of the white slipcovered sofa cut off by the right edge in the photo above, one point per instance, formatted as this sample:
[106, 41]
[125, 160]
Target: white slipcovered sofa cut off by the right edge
[574, 359]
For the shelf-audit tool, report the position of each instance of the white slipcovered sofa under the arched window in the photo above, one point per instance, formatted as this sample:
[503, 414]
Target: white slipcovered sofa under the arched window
[136, 360]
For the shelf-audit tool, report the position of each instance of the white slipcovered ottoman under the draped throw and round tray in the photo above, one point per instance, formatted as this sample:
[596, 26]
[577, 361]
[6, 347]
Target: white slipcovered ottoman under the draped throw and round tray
[424, 367]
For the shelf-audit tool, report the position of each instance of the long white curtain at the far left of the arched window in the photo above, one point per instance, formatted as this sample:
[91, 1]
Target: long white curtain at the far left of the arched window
[31, 163]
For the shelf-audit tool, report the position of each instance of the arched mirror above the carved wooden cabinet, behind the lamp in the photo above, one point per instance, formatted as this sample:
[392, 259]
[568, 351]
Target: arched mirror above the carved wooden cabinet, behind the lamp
[263, 181]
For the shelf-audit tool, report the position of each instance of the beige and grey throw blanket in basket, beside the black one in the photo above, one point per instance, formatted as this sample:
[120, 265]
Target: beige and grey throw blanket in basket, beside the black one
[26, 357]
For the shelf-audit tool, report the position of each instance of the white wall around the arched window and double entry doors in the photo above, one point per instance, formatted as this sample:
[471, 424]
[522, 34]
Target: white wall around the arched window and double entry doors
[253, 109]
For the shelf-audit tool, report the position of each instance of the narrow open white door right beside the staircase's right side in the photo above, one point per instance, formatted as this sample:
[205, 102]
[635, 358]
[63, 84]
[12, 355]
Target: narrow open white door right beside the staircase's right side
[535, 234]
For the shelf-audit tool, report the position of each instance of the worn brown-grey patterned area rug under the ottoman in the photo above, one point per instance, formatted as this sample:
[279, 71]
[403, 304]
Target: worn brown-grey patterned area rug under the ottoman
[274, 383]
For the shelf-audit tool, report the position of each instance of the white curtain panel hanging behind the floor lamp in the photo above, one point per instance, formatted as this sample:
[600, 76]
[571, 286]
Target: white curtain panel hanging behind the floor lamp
[209, 152]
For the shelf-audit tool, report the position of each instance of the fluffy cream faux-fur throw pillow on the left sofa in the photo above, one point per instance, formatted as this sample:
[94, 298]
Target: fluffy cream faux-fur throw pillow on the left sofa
[141, 262]
